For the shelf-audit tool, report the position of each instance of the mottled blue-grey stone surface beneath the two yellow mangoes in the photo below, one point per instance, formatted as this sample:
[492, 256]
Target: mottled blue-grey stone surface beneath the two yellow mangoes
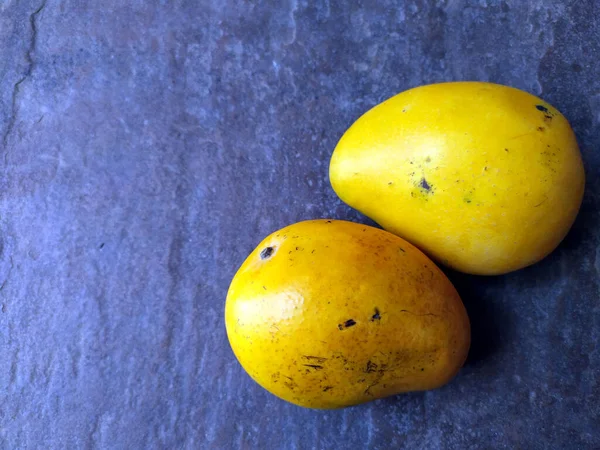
[148, 146]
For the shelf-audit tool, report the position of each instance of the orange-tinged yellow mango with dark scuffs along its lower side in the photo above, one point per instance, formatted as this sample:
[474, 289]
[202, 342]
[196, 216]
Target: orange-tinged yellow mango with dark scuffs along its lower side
[335, 314]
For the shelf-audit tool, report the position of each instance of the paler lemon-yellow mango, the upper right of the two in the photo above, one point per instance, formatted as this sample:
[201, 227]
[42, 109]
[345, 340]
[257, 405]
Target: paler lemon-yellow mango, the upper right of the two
[484, 178]
